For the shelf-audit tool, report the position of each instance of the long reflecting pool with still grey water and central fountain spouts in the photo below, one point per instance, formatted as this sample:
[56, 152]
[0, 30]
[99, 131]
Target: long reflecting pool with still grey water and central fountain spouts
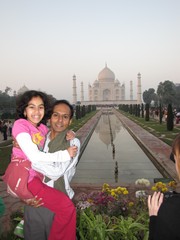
[113, 156]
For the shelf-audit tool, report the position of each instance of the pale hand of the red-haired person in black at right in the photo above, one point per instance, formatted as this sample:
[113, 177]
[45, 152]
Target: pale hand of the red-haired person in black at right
[154, 203]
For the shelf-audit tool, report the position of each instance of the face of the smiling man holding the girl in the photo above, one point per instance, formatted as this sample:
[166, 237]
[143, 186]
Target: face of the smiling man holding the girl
[60, 119]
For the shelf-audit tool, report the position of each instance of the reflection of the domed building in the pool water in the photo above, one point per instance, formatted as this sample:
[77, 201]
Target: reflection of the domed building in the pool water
[103, 129]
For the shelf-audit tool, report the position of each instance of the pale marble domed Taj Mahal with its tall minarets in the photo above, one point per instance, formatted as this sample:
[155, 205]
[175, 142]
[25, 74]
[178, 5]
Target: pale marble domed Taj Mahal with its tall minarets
[107, 90]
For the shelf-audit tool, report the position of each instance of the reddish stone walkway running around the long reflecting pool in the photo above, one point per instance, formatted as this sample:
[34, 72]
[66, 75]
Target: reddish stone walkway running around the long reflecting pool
[156, 149]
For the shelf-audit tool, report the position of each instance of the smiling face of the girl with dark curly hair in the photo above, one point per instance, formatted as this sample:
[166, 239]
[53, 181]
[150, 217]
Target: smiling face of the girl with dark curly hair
[34, 112]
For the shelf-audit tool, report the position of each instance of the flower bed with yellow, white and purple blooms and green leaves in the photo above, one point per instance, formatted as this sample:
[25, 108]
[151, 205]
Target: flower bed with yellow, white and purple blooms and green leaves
[116, 213]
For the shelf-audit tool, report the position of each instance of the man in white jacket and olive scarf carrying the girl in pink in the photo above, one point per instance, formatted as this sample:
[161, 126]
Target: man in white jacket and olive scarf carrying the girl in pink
[37, 221]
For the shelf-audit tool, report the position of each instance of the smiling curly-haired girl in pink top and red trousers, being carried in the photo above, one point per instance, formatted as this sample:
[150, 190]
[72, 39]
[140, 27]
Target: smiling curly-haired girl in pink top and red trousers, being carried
[29, 132]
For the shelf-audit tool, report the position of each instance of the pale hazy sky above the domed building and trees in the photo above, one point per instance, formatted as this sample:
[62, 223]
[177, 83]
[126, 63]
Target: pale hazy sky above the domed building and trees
[43, 43]
